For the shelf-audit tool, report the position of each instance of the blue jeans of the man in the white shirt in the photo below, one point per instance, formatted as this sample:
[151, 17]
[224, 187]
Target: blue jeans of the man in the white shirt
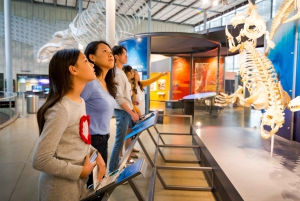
[123, 120]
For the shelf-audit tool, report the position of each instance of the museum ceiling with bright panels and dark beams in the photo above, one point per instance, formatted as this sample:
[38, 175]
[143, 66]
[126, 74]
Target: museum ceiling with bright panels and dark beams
[185, 12]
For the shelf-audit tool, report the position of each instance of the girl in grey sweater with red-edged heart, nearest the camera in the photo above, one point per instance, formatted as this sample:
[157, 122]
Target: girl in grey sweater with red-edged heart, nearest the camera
[63, 149]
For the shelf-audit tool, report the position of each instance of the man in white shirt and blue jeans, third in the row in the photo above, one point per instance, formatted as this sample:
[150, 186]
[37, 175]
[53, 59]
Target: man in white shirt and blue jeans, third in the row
[123, 111]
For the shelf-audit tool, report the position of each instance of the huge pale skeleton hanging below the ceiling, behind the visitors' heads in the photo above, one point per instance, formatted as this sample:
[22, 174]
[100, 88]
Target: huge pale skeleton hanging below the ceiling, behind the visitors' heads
[90, 25]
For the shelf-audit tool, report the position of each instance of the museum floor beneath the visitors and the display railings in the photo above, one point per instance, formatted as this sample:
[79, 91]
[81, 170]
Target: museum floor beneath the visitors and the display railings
[18, 180]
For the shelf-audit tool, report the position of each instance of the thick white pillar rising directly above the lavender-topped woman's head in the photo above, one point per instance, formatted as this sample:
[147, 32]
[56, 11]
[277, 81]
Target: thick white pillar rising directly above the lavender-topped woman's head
[110, 22]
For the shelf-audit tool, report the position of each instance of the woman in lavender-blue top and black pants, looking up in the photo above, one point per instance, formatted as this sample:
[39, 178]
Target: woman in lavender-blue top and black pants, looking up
[99, 95]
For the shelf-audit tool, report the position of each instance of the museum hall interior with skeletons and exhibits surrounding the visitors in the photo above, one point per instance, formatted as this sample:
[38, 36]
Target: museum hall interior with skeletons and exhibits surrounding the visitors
[223, 124]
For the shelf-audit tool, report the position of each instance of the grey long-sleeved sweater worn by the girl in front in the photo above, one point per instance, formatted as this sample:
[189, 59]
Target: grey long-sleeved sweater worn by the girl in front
[60, 152]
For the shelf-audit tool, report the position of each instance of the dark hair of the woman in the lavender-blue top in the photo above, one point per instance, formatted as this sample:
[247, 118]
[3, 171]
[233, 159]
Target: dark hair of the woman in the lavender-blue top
[109, 78]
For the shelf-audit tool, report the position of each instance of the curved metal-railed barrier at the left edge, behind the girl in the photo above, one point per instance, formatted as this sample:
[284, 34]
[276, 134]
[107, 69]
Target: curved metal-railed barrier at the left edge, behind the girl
[10, 96]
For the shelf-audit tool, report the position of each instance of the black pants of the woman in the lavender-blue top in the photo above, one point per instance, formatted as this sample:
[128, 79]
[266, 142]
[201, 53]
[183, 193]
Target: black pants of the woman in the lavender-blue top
[99, 142]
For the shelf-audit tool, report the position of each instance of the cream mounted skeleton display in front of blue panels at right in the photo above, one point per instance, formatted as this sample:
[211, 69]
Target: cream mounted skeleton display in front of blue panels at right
[257, 71]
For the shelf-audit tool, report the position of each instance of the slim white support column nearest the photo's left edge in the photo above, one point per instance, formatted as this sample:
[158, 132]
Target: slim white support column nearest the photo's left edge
[7, 36]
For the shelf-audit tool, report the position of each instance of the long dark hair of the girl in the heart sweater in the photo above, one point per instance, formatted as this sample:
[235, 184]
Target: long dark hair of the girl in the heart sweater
[60, 80]
